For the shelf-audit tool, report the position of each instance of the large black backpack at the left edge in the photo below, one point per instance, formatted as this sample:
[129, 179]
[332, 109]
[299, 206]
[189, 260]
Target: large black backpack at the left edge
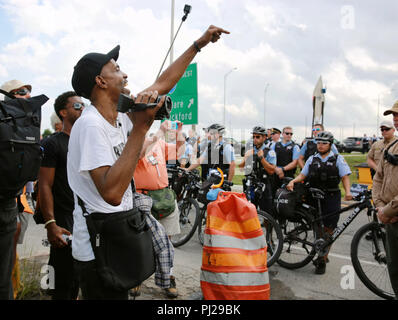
[20, 151]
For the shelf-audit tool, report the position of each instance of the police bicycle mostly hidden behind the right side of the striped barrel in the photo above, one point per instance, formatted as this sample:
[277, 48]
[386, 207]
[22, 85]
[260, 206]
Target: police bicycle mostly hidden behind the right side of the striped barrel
[254, 189]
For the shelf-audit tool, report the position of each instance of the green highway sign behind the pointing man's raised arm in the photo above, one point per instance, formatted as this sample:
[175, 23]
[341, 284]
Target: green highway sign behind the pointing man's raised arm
[185, 97]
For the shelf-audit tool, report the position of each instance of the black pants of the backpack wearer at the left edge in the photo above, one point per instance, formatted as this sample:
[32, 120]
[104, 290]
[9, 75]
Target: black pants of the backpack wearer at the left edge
[8, 226]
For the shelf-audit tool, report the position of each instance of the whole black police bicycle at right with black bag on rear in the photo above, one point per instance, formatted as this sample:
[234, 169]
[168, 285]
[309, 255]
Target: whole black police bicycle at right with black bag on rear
[304, 238]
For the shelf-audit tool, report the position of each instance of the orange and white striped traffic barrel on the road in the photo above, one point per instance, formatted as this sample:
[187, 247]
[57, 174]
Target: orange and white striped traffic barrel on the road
[234, 260]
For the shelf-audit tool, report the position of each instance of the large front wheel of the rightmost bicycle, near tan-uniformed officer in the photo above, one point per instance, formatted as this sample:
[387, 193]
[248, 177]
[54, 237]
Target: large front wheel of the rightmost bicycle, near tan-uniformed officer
[369, 260]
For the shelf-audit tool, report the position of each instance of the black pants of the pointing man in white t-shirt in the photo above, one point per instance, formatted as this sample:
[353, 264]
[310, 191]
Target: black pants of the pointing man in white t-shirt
[91, 285]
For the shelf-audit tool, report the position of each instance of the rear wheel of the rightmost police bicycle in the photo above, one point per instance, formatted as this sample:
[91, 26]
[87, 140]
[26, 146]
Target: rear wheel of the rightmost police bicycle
[298, 243]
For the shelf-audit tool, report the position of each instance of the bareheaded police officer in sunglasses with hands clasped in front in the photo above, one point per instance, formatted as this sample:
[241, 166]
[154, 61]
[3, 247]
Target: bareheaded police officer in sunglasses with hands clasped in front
[287, 154]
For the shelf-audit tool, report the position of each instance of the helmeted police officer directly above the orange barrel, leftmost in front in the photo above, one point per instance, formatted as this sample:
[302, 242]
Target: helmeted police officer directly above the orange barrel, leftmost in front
[218, 154]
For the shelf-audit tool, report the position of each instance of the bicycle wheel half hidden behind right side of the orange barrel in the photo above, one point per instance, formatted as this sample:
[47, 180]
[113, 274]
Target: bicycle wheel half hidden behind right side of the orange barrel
[273, 236]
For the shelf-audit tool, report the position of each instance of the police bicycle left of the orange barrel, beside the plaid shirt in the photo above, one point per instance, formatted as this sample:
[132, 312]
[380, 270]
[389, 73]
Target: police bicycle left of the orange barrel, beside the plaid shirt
[186, 185]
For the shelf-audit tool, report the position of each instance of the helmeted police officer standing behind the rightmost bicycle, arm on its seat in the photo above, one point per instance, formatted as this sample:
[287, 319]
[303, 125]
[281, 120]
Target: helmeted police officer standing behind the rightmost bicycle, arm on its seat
[324, 171]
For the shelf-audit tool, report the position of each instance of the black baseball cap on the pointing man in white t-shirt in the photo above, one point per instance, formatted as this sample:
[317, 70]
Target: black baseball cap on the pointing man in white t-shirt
[87, 68]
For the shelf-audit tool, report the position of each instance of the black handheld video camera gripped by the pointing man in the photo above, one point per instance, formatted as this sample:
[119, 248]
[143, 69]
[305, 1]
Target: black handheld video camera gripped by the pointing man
[127, 104]
